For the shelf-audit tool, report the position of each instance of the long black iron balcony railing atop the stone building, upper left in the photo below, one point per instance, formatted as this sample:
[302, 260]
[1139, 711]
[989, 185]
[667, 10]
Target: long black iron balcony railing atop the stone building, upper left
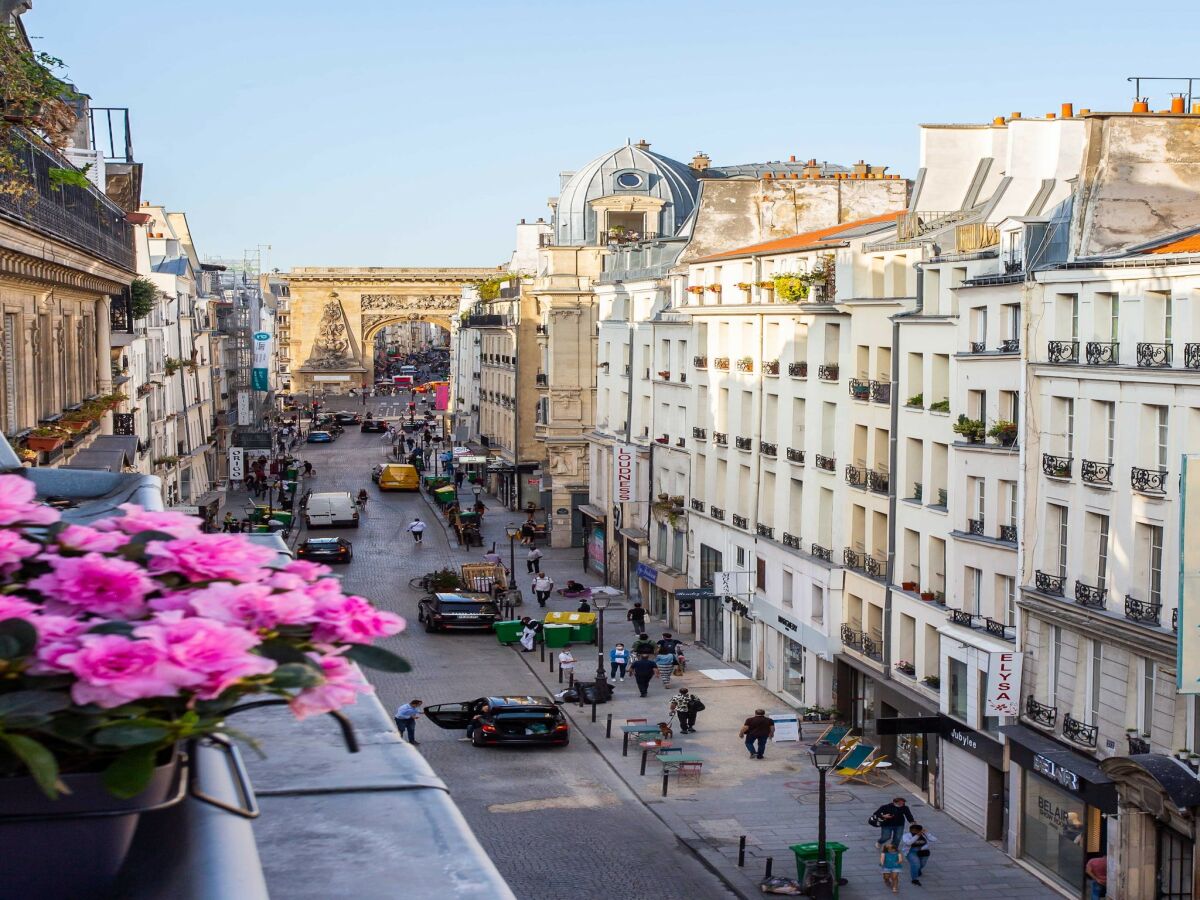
[82, 217]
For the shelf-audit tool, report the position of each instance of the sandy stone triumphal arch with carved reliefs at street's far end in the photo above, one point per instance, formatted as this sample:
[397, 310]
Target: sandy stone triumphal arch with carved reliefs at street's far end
[334, 315]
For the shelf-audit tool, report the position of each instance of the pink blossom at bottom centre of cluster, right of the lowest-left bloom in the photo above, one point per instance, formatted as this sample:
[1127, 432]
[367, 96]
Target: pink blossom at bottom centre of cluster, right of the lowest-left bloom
[220, 653]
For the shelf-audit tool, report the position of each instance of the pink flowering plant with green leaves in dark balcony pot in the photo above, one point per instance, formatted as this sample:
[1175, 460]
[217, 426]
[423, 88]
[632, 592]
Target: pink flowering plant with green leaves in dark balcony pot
[129, 640]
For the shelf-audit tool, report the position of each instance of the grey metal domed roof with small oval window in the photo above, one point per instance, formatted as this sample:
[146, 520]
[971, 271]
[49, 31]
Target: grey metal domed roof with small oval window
[628, 171]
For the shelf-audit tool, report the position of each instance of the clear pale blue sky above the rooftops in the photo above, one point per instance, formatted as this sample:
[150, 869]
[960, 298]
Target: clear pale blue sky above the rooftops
[394, 133]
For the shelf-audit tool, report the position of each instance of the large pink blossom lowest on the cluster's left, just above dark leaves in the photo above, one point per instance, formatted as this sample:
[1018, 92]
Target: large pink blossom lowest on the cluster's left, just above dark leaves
[113, 670]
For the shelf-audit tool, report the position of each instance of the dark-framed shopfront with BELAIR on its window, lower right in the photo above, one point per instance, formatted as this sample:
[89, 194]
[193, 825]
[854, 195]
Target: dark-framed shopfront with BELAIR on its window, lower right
[1065, 803]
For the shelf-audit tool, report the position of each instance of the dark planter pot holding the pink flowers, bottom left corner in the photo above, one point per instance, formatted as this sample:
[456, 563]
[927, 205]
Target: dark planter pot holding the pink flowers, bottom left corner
[75, 847]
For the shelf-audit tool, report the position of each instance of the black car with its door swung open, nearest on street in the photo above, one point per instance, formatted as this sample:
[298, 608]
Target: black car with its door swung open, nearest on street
[505, 721]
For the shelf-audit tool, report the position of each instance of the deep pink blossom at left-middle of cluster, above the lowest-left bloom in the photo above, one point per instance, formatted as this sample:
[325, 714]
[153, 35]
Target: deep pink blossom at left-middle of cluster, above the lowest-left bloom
[105, 586]
